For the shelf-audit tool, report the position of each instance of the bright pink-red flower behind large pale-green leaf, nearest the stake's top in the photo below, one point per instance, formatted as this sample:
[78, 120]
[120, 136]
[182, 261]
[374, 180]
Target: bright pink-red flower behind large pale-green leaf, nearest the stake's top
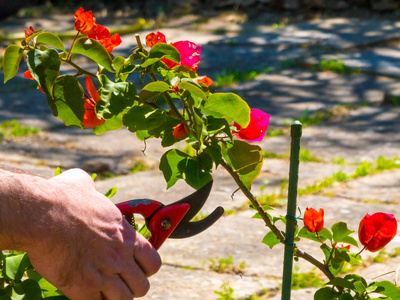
[257, 127]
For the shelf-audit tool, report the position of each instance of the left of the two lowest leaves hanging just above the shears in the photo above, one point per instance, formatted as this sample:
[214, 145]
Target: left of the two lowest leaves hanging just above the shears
[171, 164]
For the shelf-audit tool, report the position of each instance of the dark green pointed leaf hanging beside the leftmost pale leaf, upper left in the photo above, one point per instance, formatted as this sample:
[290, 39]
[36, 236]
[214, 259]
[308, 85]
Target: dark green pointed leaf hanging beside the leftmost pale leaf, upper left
[44, 67]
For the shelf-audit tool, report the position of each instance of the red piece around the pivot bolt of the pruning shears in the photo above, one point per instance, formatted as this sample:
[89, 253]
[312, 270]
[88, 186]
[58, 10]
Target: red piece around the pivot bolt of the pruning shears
[164, 222]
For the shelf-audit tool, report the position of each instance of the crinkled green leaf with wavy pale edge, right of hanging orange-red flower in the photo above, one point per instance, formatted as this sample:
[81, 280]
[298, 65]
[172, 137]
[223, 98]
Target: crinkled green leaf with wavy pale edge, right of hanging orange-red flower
[115, 97]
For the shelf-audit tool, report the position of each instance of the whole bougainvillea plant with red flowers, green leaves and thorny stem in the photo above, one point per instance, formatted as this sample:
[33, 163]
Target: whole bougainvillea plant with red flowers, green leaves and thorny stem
[175, 104]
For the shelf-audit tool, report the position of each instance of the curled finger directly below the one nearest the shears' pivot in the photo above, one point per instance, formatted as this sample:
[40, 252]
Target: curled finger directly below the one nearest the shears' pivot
[135, 279]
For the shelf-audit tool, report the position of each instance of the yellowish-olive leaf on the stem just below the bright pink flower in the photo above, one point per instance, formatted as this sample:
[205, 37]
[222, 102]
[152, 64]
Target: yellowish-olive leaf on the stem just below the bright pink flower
[246, 159]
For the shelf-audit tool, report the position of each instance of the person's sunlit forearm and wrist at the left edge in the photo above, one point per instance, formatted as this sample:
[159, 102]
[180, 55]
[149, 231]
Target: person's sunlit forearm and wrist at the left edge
[25, 203]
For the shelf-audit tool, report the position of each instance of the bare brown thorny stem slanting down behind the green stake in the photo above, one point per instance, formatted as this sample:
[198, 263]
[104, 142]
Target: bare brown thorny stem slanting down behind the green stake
[298, 252]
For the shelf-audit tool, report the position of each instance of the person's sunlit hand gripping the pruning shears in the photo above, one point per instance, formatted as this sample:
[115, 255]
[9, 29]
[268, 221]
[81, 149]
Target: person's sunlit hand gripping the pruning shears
[91, 251]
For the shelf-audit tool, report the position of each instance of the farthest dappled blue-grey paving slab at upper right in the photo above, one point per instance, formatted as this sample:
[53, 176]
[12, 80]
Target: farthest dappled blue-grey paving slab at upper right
[329, 33]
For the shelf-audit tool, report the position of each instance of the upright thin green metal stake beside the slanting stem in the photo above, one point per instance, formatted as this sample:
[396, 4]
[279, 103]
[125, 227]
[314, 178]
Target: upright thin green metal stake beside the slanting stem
[295, 133]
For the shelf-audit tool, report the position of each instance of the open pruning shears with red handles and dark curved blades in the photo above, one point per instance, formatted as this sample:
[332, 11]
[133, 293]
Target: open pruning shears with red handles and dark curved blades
[173, 220]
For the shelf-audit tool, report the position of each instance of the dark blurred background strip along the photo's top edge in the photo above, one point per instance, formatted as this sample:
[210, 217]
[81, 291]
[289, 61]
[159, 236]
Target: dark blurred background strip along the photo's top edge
[164, 8]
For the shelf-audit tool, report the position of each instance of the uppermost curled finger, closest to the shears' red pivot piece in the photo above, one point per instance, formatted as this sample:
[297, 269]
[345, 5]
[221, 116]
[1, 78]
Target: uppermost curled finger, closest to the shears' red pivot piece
[146, 255]
